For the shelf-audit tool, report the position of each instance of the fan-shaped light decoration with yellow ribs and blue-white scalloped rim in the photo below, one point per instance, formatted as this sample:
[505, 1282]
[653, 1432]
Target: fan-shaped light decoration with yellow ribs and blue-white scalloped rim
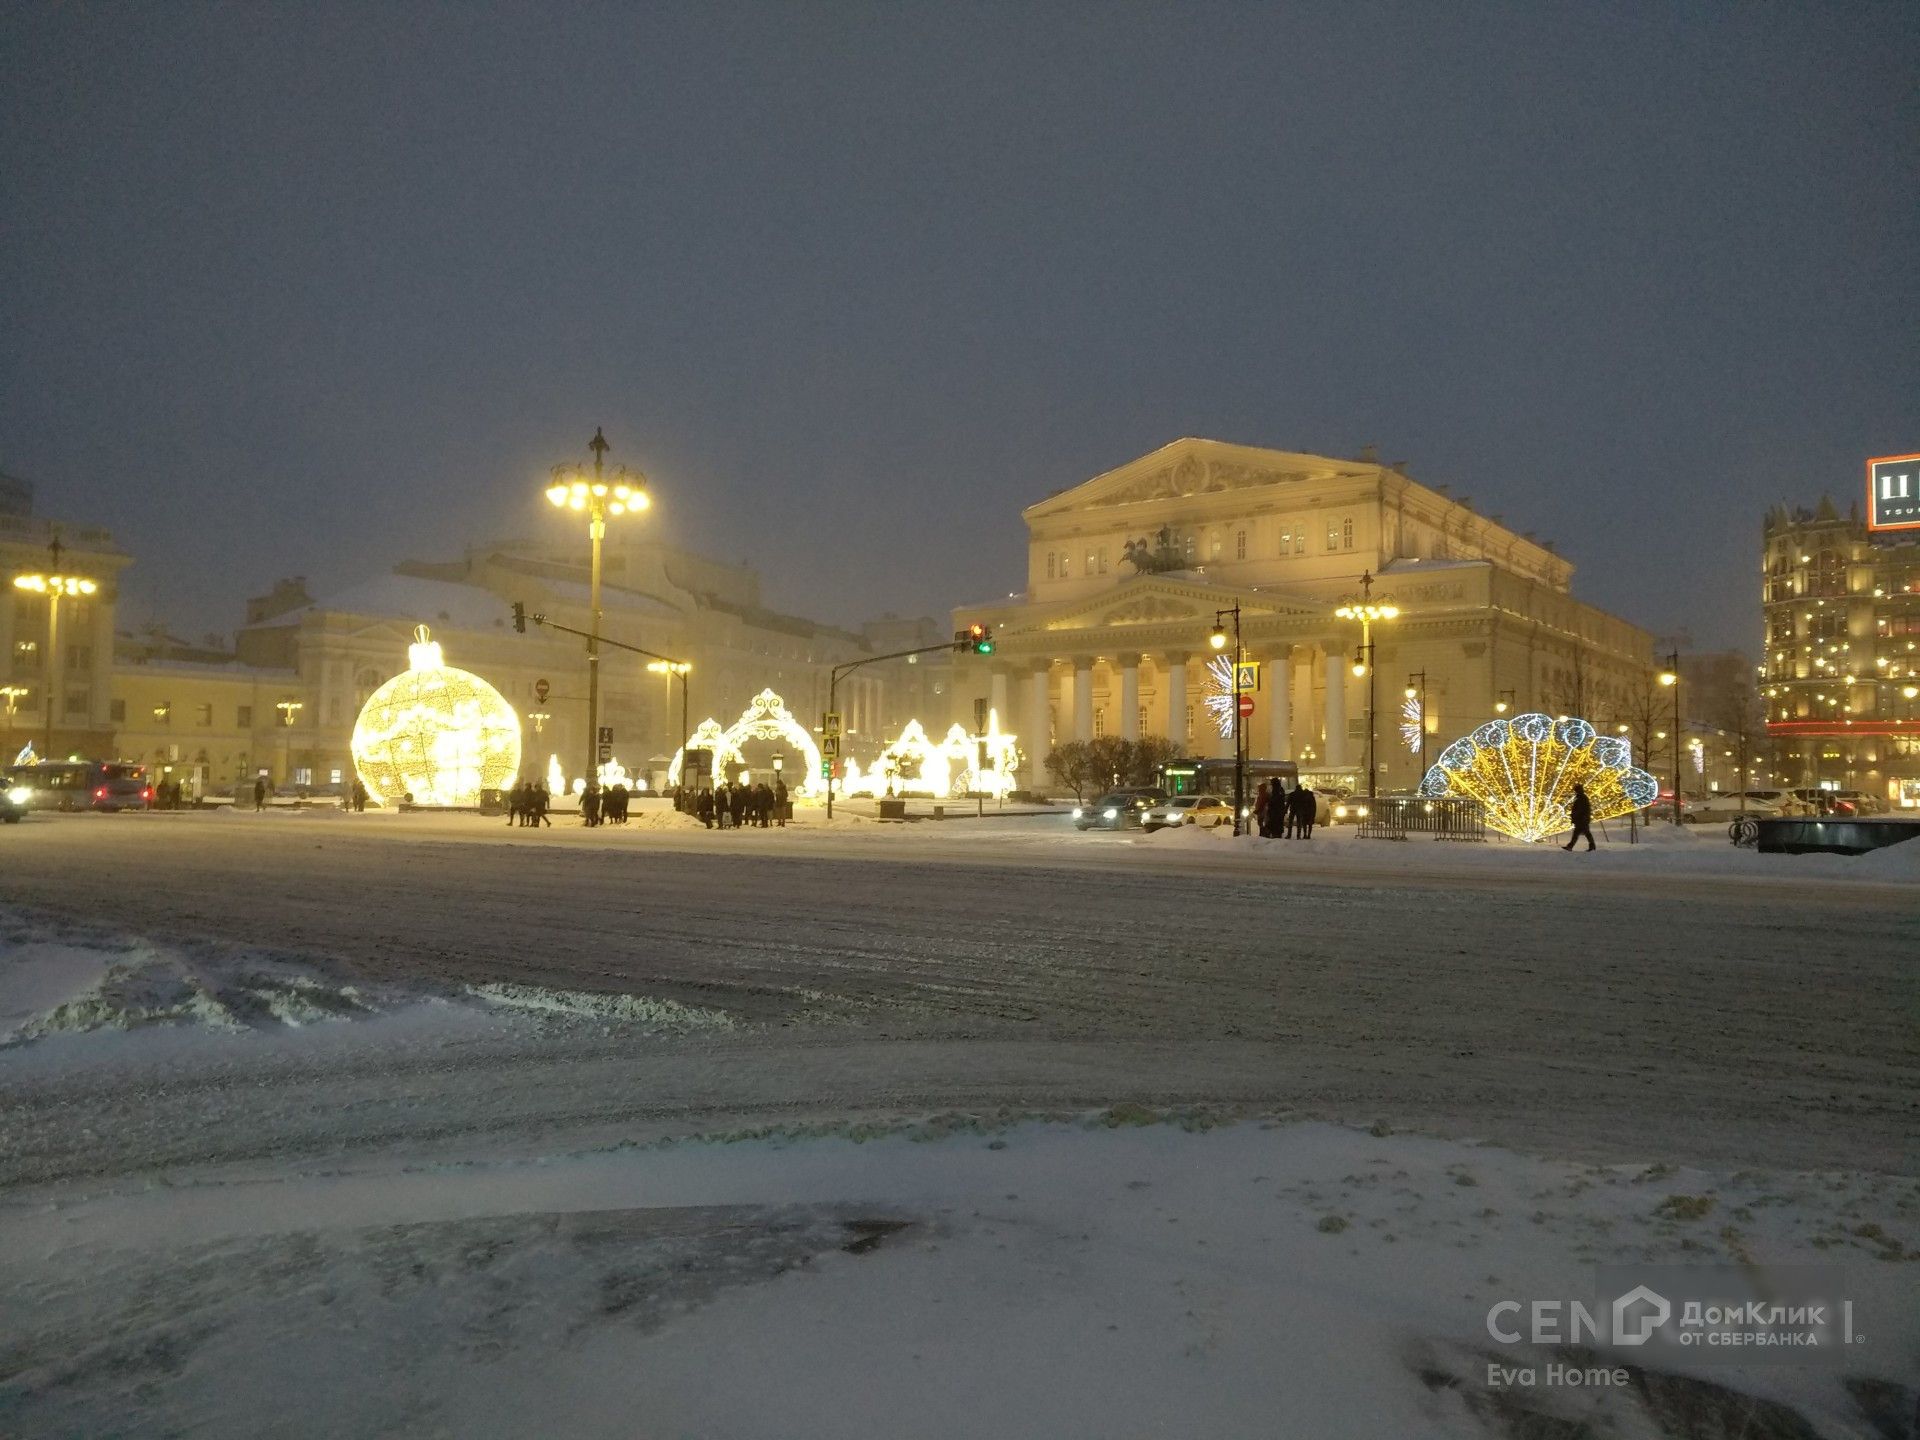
[1524, 771]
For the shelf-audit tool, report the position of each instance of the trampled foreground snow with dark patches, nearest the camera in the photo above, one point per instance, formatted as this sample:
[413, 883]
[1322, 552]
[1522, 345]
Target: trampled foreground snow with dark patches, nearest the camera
[1111, 1278]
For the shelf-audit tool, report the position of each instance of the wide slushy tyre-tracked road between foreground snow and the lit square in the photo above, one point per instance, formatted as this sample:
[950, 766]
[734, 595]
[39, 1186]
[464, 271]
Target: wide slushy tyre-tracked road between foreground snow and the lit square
[1639, 1007]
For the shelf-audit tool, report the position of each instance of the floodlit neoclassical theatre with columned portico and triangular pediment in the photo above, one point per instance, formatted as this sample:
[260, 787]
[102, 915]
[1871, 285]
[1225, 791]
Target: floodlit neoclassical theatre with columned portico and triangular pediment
[1128, 571]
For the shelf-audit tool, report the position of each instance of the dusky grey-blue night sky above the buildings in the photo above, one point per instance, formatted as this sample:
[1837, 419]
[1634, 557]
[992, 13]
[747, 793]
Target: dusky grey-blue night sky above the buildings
[316, 289]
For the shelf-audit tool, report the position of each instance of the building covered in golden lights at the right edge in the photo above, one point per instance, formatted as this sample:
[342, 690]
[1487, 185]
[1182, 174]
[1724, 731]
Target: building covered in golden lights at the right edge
[1842, 656]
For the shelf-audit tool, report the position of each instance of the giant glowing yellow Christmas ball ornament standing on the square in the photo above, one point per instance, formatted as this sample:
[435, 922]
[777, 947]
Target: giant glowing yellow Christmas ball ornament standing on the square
[437, 734]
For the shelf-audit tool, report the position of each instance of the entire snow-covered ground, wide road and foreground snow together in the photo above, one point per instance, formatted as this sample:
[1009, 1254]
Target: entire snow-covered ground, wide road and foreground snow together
[354, 1126]
